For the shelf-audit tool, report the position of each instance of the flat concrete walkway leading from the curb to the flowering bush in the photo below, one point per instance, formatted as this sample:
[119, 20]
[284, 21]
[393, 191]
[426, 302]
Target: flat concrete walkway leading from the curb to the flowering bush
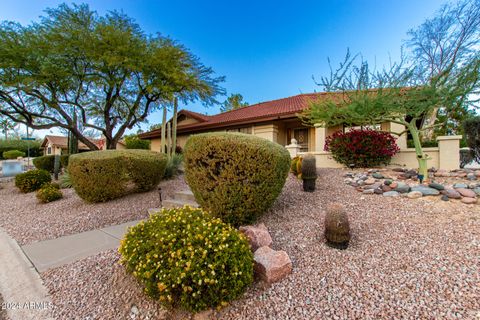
[60, 251]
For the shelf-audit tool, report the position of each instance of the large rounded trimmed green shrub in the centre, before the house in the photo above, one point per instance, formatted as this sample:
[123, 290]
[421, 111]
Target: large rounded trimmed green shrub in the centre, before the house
[235, 176]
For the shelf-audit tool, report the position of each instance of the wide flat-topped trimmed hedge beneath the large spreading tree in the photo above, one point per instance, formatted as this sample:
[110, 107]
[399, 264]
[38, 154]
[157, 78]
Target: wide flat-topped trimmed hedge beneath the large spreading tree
[100, 176]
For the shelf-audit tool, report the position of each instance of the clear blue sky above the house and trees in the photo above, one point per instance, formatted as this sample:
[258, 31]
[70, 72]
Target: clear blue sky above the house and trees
[266, 49]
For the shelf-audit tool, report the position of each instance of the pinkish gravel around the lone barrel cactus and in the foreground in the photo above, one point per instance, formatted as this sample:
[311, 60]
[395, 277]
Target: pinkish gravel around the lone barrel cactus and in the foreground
[408, 259]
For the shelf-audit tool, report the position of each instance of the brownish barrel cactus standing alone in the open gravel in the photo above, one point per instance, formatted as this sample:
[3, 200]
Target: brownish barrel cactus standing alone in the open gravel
[337, 228]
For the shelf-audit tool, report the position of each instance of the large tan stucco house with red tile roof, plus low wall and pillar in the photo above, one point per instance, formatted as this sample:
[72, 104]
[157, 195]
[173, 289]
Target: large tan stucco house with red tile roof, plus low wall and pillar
[277, 120]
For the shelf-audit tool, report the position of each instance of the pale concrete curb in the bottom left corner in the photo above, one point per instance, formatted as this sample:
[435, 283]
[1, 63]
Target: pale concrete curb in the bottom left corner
[21, 287]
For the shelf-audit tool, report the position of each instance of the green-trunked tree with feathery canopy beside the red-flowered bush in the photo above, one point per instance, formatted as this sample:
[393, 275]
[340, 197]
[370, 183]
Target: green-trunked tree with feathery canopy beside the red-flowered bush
[391, 95]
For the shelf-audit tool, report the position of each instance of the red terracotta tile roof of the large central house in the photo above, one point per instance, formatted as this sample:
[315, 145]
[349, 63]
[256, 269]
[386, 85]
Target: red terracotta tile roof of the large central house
[264, 111]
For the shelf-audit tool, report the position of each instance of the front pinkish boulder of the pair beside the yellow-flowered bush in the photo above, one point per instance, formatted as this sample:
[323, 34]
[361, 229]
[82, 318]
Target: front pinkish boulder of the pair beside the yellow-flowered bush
[270, 265]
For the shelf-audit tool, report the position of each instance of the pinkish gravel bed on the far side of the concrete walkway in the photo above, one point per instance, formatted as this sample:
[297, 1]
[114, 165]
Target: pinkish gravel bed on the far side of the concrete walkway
[28, 221]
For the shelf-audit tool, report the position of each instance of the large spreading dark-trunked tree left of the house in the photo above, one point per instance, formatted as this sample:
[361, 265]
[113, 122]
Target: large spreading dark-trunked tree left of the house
[103, 70]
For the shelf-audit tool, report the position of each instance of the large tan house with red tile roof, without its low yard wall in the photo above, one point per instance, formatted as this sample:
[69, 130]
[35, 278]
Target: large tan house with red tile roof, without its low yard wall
[274, 120]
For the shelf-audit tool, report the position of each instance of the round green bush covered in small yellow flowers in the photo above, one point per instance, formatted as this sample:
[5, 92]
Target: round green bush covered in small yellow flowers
[186, 258]
